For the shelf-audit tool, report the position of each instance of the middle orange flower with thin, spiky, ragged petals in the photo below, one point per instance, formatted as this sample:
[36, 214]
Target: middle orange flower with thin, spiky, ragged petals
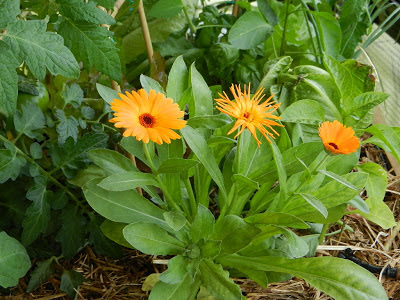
[249, 113]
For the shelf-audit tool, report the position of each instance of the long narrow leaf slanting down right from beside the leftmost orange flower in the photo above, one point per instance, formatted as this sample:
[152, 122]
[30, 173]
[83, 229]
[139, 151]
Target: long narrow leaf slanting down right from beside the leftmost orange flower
[199, 147]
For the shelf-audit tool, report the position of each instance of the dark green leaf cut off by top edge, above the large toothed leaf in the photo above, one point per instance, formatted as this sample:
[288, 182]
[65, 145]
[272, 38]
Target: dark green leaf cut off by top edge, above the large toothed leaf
[78, 10]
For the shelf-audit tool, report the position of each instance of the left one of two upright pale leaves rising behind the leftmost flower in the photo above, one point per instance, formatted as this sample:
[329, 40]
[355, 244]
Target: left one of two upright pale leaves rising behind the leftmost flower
[177, 79]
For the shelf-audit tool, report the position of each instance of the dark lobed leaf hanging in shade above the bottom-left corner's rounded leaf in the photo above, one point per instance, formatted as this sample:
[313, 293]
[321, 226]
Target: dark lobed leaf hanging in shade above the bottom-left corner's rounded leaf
[38, 213]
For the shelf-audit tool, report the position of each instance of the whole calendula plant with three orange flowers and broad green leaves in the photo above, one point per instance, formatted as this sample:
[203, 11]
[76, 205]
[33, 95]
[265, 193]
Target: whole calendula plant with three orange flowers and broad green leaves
[230, 194]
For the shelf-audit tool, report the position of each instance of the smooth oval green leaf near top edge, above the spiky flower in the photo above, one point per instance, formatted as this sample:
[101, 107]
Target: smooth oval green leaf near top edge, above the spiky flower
[249, 31]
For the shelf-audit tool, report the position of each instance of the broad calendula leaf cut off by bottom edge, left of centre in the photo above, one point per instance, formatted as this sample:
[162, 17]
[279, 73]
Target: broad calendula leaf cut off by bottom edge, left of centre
[165, 291]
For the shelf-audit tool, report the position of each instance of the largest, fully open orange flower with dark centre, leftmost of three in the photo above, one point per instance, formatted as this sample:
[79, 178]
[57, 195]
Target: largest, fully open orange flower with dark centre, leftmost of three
[148, 117]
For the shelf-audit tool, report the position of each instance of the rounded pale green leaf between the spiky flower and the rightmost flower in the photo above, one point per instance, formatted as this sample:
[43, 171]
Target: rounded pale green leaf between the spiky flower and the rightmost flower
[305, 112]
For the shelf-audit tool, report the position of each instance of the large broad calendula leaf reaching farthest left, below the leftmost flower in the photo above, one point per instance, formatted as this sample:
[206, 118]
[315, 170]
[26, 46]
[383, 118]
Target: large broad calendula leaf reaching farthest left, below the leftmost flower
[124, 207]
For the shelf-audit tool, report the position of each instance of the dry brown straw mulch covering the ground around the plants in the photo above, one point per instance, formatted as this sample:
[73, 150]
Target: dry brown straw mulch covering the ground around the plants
[123, 279]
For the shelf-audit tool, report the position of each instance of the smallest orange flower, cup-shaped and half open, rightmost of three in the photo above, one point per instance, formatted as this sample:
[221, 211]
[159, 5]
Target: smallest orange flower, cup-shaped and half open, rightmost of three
[337, 138]
